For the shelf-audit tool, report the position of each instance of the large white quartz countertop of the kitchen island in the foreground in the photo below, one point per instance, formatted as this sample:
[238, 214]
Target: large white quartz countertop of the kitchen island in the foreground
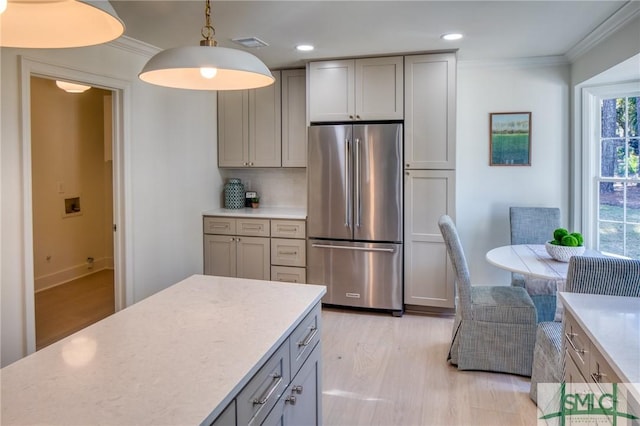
[177, 357]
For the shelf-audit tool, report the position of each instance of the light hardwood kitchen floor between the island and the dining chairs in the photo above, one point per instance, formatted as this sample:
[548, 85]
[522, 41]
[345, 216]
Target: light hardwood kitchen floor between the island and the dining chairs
[381, 370]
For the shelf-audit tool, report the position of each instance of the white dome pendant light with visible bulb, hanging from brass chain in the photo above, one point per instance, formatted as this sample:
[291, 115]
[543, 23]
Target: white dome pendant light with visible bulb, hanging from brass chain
[206, 67]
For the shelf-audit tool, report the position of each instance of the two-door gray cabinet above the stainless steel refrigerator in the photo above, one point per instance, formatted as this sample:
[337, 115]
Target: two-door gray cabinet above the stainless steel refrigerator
[356, 89]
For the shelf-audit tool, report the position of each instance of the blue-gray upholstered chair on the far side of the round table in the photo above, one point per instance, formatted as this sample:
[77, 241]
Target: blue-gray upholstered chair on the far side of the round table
[535, 225]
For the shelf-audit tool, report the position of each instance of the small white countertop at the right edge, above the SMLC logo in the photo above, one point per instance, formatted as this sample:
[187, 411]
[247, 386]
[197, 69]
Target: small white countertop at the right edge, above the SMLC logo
[613, 325]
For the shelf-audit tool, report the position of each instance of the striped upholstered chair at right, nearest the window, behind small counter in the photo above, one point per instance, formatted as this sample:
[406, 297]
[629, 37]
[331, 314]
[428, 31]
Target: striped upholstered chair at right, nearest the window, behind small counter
[595, 275]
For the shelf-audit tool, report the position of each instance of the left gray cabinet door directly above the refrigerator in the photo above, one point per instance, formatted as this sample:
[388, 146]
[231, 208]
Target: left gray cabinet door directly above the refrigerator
[331, 90]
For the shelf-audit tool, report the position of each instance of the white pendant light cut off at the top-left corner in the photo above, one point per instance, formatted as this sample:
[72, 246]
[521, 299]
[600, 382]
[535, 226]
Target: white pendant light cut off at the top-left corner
[58, 23]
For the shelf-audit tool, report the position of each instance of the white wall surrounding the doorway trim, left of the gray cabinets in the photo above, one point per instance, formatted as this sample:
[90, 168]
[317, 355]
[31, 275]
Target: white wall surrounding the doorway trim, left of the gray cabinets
[170, 178]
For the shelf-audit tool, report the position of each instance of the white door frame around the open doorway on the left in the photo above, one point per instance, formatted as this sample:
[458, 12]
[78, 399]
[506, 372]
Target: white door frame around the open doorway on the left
[121, 181]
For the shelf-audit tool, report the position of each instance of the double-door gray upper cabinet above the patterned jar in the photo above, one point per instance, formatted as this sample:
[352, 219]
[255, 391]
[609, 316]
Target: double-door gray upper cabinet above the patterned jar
[249, 127]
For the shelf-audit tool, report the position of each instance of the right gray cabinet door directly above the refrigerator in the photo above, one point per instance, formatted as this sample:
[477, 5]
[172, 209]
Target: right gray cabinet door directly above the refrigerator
[379, 88]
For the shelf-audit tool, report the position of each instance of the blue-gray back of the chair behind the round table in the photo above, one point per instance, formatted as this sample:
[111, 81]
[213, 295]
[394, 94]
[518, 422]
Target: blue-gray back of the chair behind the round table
[533, 225]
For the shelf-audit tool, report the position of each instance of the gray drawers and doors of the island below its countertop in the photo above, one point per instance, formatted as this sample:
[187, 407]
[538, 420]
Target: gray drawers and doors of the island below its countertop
[287, 389]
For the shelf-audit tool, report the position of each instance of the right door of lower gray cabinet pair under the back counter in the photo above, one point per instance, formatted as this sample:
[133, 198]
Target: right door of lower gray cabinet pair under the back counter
[253, 257]
